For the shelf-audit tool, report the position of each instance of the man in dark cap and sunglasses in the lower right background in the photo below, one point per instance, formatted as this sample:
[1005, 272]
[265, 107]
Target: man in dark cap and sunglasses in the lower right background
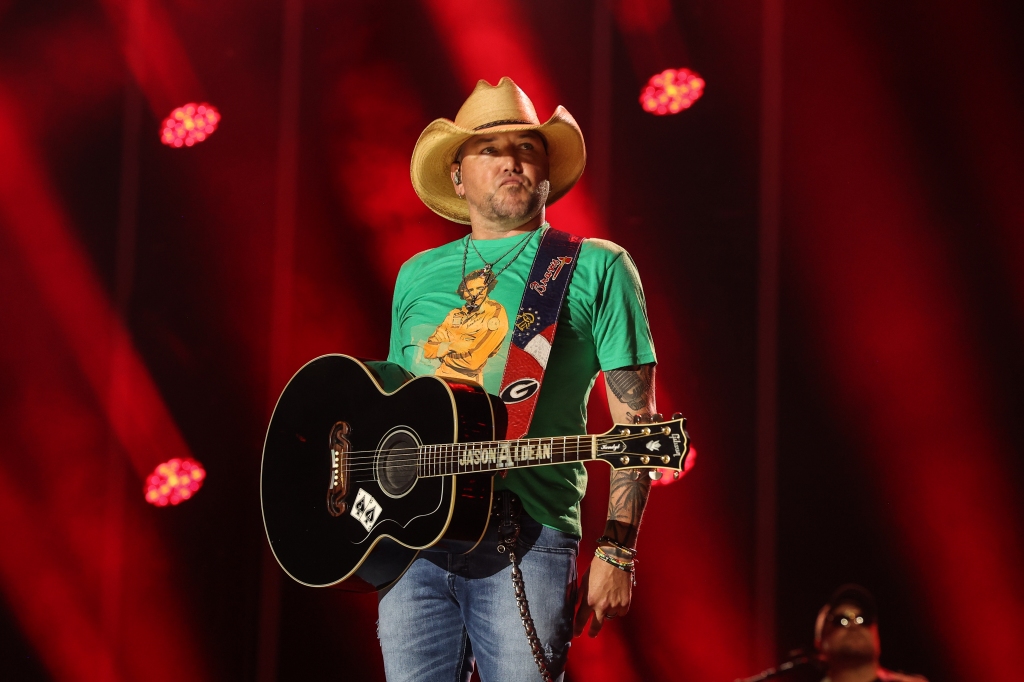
[846, 635]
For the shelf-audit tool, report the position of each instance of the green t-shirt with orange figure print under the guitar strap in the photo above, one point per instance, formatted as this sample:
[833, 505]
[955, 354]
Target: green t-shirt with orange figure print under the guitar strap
[603, 326]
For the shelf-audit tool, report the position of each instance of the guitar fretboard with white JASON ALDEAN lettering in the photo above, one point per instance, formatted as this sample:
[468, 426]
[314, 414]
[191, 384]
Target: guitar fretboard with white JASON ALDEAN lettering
[456, 458]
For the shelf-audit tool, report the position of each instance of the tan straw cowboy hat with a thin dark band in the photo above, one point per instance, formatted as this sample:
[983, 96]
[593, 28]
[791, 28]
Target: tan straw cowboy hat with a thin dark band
[499, 108]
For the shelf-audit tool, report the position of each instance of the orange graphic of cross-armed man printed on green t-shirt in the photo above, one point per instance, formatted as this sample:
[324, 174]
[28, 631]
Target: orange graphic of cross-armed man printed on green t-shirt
[471, 335]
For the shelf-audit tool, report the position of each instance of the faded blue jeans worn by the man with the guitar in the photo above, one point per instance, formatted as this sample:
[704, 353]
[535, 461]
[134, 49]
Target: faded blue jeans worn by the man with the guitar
[450, 612]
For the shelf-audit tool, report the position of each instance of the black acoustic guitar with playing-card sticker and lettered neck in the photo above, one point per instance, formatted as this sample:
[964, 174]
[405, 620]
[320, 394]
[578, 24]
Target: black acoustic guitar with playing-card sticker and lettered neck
[358, 480]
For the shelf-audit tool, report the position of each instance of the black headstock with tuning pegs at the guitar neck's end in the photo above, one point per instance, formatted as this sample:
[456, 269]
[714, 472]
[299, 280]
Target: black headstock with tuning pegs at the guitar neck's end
[653, 446]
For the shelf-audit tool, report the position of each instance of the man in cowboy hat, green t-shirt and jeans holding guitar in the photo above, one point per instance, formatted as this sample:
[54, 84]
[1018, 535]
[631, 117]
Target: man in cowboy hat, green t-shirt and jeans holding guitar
[496, 167]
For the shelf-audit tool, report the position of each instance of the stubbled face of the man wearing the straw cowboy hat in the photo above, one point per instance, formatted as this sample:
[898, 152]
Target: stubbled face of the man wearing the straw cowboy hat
[505, 176]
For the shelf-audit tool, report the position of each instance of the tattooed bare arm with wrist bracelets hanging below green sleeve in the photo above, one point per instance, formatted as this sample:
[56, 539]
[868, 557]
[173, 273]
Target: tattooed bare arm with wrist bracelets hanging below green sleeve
[607, 591]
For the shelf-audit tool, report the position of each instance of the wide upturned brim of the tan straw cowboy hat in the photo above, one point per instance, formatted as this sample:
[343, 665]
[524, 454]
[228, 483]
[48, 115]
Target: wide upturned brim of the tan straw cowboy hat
[431, 169]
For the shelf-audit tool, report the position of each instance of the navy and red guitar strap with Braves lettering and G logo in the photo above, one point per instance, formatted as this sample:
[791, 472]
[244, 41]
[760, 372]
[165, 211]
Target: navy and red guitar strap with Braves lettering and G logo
[534, 331]
